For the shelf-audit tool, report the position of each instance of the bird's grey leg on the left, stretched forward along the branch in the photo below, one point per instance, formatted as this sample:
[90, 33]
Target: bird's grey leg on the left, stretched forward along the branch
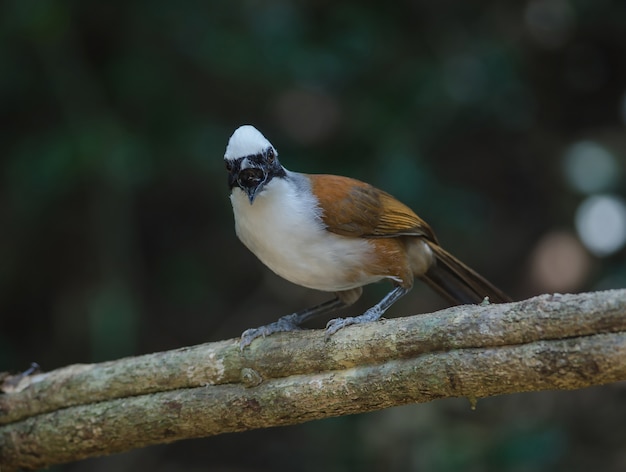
[293, 321]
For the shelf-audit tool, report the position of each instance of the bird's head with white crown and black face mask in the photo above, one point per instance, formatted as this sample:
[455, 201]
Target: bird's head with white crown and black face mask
[251, 161]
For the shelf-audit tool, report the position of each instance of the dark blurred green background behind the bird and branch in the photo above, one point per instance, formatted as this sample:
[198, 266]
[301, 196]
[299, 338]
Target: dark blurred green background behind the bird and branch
[501, 123]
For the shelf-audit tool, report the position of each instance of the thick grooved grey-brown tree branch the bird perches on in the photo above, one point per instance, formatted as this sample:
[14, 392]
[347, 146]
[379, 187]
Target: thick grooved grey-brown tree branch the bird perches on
[80, 411]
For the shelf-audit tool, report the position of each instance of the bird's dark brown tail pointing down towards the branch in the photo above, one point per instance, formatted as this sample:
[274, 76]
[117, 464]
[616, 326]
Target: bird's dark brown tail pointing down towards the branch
[457, 282]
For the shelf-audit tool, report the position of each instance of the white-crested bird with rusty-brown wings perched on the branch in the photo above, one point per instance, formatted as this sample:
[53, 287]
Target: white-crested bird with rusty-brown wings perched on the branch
[336, 234]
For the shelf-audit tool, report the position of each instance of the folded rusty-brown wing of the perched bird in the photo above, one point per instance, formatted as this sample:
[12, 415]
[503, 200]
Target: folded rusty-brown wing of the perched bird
[353, 208]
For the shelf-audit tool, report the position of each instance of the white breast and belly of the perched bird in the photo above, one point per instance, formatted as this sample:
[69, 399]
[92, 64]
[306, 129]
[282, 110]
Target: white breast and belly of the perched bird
[284, 230]
